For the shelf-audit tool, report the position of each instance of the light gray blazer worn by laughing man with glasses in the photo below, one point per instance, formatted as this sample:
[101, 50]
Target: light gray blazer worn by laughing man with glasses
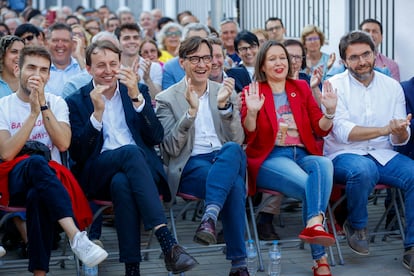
[179, 130]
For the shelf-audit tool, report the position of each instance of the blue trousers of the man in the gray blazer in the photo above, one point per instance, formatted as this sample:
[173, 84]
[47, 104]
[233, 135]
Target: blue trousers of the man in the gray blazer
[218, 177]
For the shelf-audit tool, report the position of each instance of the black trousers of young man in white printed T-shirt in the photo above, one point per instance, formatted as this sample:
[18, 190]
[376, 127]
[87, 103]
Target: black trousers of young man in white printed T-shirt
[32, 183]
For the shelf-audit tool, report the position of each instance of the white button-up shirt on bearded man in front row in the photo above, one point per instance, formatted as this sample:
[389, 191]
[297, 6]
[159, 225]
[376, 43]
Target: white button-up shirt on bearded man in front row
[372, 106]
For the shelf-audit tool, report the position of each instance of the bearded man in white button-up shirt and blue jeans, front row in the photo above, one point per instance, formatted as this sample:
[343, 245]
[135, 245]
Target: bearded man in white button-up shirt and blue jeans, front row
[370, 119]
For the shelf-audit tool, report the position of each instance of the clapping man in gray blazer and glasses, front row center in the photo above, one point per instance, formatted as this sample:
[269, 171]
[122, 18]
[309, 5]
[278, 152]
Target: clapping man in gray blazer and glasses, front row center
[202, 148]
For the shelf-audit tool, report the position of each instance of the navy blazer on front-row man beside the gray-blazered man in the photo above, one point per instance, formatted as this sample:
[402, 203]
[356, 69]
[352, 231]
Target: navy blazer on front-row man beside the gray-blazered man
[87, 142]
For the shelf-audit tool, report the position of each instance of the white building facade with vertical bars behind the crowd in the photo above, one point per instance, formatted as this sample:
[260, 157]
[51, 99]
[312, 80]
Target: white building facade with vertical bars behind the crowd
[334, 17]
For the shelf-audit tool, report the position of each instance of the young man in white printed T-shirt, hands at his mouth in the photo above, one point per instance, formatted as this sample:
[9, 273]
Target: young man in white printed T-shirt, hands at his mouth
[30, 114]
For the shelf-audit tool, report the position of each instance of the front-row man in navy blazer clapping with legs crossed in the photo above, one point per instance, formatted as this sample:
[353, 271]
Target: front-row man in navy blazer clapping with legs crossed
[114, 131]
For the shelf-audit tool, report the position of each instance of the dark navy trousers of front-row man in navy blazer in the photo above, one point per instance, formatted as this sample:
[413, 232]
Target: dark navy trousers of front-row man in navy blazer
[124, 177]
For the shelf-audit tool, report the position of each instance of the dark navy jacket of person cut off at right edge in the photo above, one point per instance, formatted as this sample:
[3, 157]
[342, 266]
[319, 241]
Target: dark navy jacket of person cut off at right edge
[408, 87]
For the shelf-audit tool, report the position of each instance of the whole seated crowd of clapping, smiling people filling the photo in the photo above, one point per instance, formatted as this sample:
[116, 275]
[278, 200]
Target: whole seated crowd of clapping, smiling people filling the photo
[220, 105]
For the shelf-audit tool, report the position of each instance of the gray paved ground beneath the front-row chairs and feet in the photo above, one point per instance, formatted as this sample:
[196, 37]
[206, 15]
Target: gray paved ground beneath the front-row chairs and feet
[385, 256]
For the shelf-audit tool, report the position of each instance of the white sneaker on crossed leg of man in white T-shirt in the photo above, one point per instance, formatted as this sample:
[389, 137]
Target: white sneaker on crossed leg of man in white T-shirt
[88, 252]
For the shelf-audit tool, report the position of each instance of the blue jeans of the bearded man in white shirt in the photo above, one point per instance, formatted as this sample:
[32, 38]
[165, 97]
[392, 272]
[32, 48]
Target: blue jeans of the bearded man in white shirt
[361, 173]
